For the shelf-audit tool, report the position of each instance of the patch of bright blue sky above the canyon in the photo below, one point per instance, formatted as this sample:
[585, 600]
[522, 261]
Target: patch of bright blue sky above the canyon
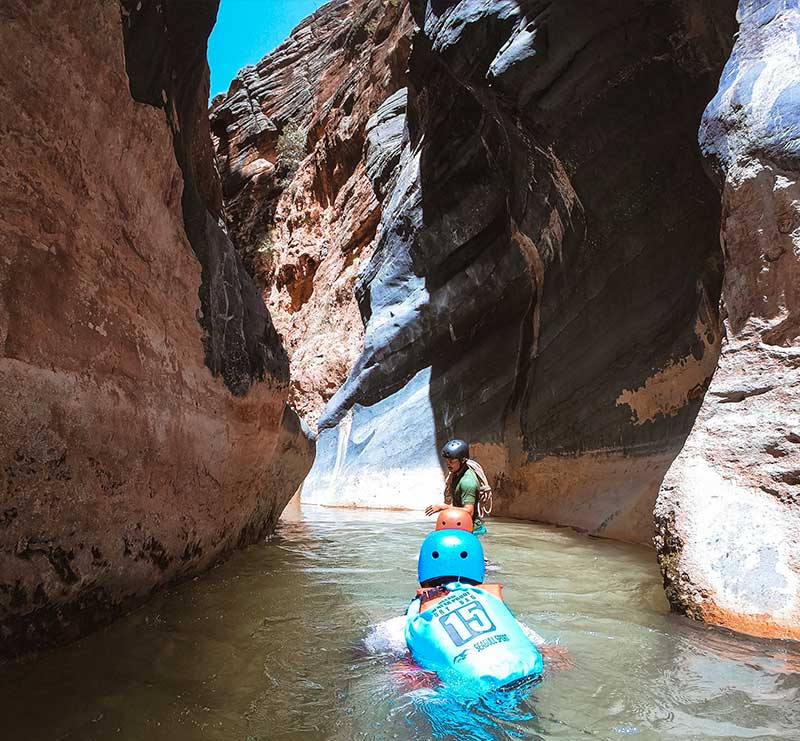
[246, 30]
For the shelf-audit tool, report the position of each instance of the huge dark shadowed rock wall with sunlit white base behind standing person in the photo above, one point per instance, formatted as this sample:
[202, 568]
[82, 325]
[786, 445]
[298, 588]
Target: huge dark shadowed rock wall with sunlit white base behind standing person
[550, 245]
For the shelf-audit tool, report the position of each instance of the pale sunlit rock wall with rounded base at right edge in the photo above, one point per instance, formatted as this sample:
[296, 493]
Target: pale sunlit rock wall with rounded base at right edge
[728, 514]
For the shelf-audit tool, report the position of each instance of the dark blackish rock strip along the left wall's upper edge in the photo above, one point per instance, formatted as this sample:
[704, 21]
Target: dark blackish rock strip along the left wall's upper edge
[165, 46]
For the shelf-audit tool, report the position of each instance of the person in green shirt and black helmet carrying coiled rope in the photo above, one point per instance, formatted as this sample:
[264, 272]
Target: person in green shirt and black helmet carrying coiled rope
[462, 487]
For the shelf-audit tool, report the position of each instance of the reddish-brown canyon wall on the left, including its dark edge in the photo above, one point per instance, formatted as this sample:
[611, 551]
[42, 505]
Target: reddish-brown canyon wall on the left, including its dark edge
[125, 463]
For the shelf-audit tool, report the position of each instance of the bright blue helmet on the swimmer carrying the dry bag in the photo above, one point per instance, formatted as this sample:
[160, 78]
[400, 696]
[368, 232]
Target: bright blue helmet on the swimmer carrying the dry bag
[451, 553]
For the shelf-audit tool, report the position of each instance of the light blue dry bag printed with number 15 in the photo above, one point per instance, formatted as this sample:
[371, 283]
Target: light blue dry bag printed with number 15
[471, 640]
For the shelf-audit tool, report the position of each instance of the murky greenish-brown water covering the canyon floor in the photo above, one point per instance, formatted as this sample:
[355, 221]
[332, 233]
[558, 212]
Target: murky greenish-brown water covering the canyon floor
[271, 646]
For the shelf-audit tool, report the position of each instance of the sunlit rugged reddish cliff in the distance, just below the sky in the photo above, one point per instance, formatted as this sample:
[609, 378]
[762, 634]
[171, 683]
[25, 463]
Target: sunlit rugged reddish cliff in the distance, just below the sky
[304, 168]
